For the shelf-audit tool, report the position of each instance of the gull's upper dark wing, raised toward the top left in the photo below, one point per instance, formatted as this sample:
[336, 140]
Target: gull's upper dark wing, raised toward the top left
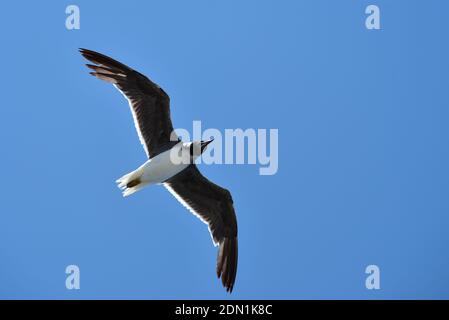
[149, 104]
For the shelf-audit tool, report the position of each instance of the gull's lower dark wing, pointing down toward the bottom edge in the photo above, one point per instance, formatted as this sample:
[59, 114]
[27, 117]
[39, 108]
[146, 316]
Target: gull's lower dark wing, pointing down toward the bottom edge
[213, 205]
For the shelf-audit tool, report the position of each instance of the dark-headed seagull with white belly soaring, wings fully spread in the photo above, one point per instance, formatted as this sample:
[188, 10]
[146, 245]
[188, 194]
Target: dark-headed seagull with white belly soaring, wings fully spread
[171, 162]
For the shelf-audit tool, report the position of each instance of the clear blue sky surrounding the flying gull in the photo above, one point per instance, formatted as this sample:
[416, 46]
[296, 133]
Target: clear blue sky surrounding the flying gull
[363, 149]
